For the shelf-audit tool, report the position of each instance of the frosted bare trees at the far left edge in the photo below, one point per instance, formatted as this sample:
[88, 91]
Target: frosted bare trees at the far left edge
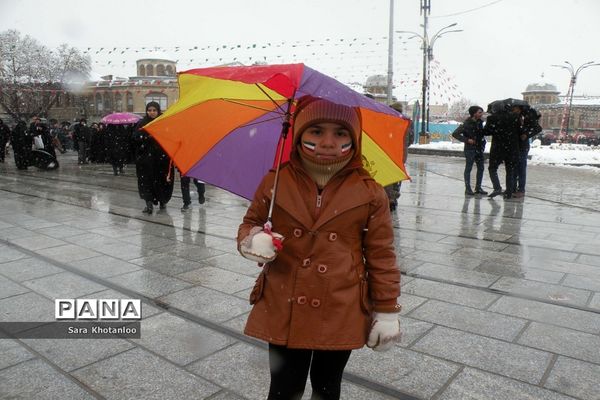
[32, 76]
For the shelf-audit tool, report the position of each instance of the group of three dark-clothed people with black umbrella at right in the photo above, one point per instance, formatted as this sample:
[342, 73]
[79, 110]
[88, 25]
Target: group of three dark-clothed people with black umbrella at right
[511, 127]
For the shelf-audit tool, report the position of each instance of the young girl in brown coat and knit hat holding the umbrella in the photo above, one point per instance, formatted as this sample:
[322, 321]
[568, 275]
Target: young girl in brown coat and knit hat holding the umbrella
[333, 284]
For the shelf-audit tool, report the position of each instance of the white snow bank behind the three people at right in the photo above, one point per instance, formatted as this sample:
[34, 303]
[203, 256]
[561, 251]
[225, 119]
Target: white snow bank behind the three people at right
[556, 154]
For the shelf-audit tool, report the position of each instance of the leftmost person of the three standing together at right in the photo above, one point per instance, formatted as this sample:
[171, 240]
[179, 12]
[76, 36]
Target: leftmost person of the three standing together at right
[470, 133]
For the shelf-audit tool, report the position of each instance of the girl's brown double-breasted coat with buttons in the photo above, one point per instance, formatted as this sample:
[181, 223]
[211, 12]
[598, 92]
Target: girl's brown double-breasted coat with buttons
[337, 264]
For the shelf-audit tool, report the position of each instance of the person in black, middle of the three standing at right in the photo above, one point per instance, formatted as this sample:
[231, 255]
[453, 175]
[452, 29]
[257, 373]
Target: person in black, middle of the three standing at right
[505, 128]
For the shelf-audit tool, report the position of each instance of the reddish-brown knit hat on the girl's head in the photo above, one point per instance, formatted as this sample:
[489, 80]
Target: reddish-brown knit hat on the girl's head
[312, 110]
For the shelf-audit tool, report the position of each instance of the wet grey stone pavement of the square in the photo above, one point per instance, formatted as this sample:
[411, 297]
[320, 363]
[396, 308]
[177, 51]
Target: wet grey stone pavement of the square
[501, 298]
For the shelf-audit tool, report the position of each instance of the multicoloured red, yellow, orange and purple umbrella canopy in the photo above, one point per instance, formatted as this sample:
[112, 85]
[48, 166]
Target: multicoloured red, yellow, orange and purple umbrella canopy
[226, 127]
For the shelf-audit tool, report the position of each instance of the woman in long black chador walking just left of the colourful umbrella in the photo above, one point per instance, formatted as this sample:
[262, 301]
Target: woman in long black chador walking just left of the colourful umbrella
[153, 166]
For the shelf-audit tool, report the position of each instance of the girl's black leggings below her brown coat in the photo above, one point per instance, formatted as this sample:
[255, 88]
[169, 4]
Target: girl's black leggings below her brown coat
[289, 370]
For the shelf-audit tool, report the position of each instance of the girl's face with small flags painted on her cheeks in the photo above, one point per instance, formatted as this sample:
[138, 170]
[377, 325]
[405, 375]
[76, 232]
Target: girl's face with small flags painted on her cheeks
[326, 140]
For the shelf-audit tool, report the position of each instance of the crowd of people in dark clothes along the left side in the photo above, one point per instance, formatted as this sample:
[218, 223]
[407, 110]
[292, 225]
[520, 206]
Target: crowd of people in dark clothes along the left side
[115, 144]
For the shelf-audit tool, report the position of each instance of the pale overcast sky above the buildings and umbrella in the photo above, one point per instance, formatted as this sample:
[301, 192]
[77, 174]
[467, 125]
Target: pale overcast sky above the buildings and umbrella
[504, 46]
